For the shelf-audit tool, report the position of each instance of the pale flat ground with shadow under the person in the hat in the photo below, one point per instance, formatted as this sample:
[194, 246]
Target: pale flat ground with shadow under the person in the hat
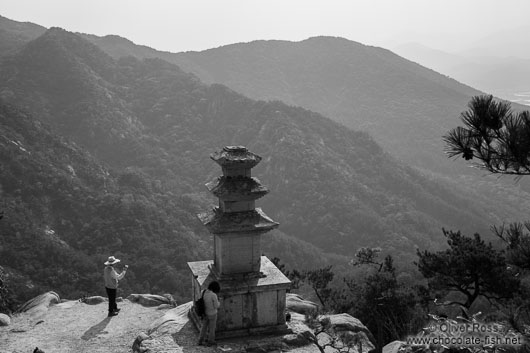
[77, 327]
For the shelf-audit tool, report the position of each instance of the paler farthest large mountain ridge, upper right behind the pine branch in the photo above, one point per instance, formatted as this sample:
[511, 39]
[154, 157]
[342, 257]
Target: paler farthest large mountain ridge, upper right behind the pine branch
[405, 106]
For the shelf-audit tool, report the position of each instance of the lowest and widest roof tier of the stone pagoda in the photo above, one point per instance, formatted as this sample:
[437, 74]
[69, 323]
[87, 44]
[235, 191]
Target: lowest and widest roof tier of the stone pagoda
[219, 222]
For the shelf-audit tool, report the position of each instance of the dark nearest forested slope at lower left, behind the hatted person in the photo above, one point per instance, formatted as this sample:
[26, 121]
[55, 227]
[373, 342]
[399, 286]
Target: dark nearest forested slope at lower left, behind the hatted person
[64, 212]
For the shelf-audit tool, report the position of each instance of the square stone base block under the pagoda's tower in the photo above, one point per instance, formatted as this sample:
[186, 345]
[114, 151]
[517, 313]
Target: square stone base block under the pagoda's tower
[250, 304]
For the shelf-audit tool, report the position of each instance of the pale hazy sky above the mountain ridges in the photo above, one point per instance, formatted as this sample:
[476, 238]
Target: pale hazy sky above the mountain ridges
[176, 25]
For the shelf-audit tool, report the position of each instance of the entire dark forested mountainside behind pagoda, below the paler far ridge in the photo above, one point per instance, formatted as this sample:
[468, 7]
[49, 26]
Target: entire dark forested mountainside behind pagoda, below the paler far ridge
[110, 156]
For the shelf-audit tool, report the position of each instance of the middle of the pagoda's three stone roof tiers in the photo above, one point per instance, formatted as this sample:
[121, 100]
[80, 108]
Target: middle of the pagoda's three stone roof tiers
[237, 188]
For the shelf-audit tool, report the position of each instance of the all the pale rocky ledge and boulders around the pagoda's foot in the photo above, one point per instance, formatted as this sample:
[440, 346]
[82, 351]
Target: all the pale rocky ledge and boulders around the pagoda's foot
[142, 326]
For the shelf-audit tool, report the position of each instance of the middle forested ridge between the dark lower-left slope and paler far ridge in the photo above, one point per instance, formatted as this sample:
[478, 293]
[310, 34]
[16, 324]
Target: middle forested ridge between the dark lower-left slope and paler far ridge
[328, 183]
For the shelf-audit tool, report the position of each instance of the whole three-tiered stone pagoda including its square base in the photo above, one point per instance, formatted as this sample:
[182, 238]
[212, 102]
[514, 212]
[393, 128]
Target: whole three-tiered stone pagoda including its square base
[252, 288]
